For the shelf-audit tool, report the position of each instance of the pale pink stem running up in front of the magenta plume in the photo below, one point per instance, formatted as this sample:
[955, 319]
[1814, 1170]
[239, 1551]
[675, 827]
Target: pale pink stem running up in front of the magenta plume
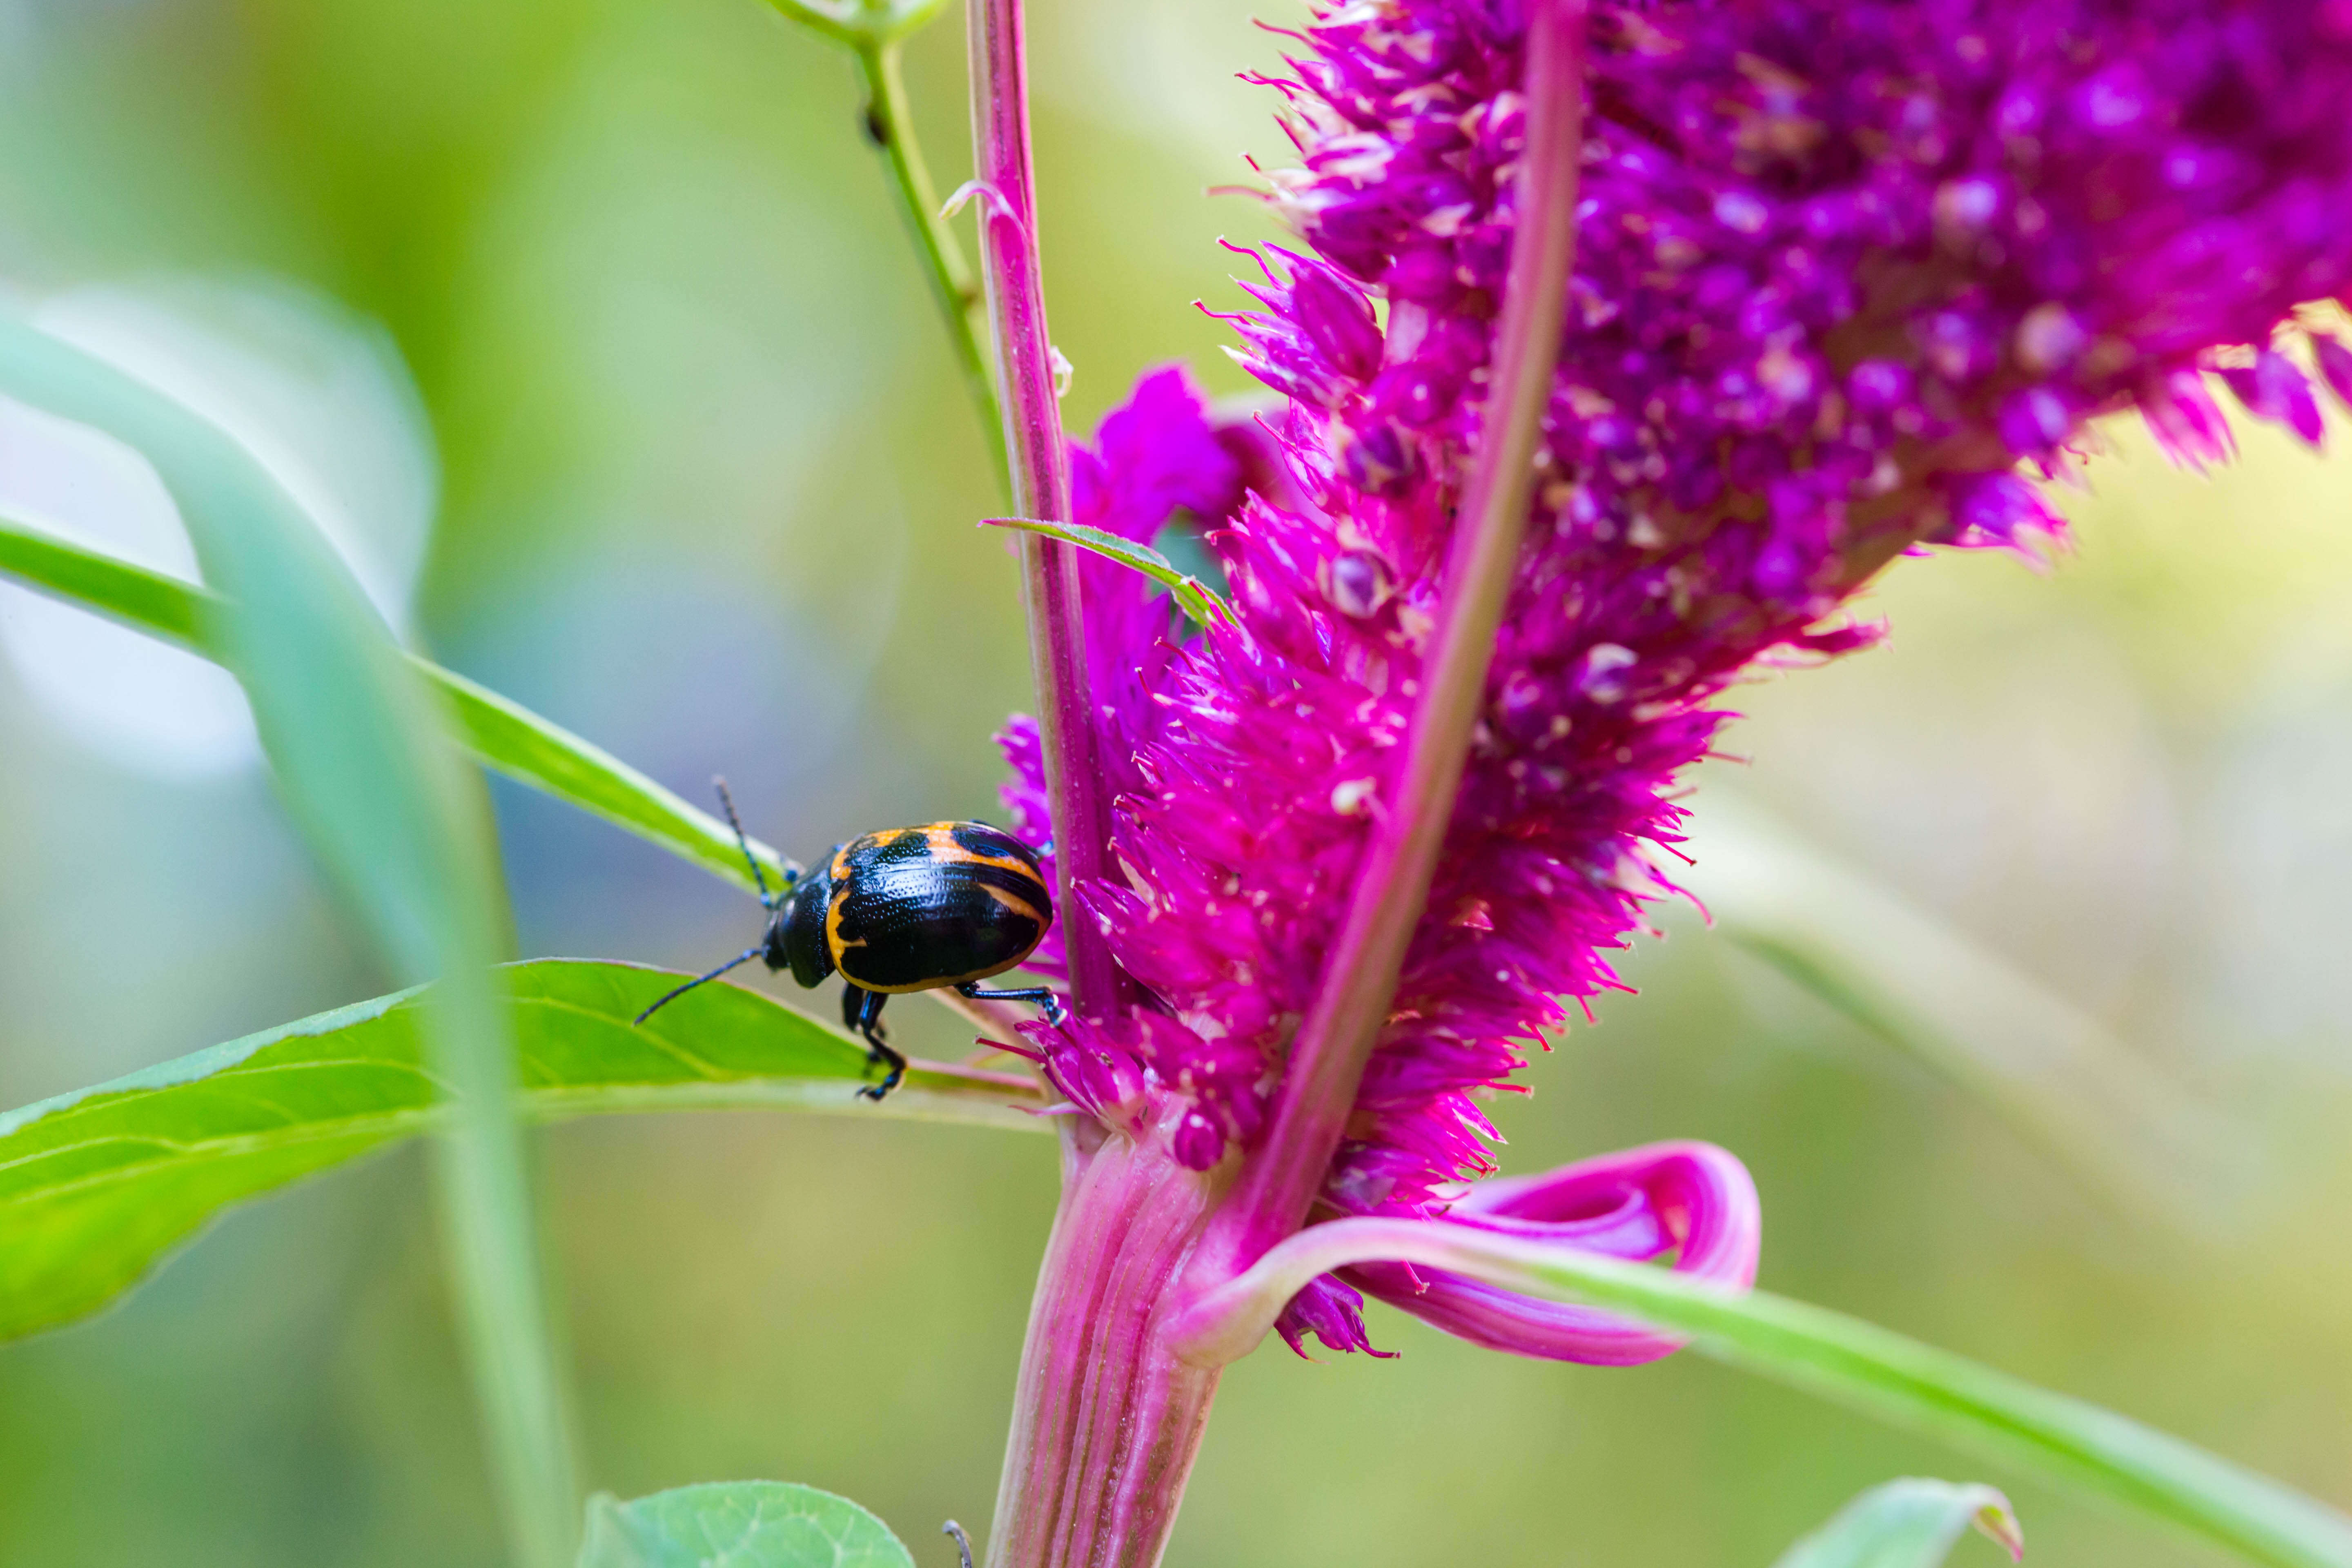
[1394, 883]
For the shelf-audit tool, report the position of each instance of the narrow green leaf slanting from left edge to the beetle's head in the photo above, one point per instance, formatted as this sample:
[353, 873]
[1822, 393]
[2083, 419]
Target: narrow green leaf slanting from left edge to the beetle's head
[502, 735]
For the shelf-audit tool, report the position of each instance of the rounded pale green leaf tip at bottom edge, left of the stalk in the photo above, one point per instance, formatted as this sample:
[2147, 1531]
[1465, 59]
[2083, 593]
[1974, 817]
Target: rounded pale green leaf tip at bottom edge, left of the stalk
[737, 1525]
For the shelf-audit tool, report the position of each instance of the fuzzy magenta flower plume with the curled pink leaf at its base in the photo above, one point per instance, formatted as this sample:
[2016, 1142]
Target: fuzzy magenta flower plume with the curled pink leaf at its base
[1840, 274]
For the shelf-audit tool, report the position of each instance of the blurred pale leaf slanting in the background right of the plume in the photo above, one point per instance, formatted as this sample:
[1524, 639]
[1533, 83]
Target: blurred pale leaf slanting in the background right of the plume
[1970, 1017]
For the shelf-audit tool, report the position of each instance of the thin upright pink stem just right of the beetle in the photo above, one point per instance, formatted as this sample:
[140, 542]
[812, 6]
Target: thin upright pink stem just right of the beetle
[1041, 488]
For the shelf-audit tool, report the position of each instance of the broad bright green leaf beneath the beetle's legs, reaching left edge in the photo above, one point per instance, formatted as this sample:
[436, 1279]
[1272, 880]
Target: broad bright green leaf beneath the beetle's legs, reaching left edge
[100, 1186]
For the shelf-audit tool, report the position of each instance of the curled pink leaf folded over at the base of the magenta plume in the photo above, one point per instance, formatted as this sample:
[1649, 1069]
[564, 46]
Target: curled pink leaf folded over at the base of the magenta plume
[1666, 1198]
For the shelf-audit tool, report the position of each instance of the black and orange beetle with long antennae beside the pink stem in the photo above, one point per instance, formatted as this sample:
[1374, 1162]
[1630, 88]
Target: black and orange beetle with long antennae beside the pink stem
[902, 911]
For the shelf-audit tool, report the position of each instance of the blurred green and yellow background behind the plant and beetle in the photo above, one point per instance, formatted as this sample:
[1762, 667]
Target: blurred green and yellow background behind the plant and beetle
[707, 497]
